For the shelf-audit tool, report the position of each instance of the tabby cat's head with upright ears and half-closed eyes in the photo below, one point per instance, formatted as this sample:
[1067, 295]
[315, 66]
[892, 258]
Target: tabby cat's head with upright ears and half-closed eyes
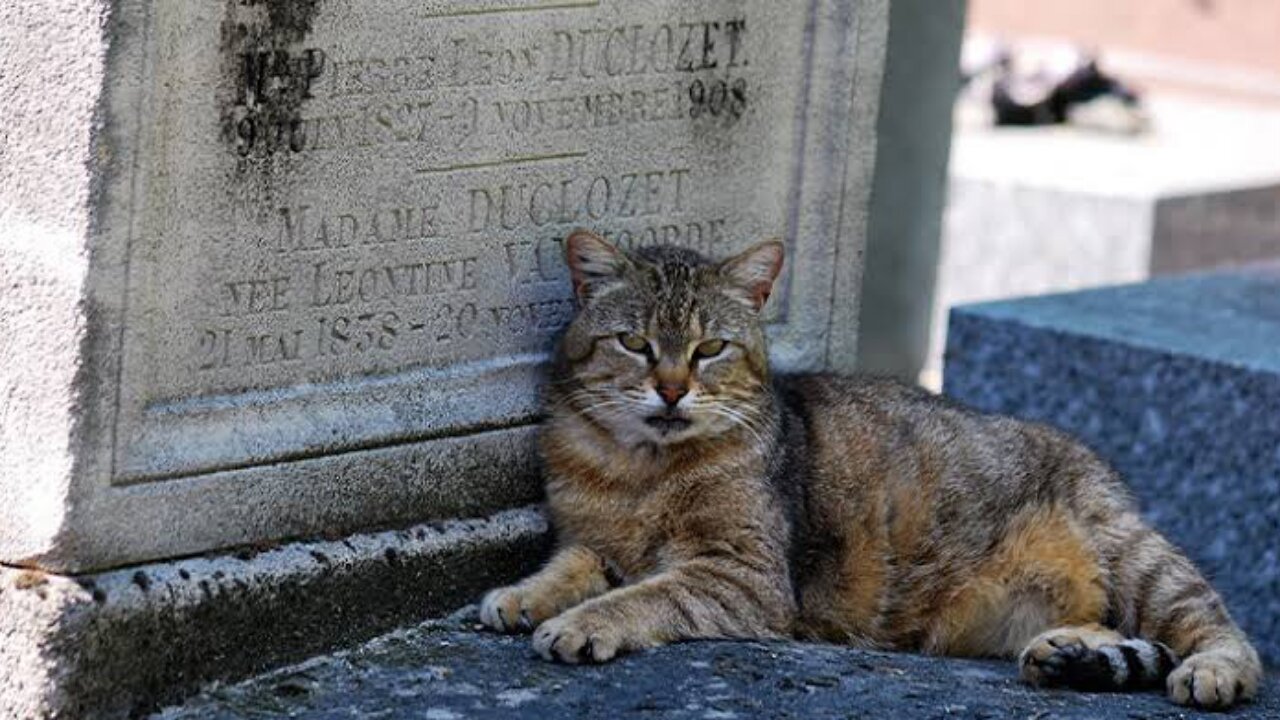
[668, 347]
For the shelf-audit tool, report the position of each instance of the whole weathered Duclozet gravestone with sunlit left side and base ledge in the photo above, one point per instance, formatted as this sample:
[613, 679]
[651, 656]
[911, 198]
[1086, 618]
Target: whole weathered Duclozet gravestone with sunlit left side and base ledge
[280, 270]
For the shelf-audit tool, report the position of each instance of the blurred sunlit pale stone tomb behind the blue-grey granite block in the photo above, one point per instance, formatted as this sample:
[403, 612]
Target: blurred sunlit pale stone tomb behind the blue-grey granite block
[1049, 211]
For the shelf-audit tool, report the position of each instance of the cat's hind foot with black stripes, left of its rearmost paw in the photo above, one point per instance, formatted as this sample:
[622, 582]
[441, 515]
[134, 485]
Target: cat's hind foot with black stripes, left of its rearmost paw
[1092, 658]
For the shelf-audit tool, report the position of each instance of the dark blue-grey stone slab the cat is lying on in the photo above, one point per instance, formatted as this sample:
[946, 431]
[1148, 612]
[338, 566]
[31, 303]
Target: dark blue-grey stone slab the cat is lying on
[449, 671]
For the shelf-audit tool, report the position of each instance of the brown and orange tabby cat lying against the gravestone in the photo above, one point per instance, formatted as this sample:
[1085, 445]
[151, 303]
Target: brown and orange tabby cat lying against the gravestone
[698, 496]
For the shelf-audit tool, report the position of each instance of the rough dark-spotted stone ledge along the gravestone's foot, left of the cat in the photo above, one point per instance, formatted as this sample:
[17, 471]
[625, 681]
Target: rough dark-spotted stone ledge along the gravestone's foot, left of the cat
[124, 642]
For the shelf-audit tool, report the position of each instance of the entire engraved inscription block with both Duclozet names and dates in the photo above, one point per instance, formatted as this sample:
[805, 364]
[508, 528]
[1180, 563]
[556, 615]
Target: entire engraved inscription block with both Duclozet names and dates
[463, 258]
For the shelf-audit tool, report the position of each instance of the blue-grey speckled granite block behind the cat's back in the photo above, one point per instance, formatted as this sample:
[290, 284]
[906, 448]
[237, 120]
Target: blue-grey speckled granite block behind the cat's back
[1177, 384]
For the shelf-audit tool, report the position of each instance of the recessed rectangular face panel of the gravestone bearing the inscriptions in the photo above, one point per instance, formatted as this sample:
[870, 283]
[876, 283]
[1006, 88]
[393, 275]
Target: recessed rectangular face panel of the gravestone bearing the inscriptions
[342, 197]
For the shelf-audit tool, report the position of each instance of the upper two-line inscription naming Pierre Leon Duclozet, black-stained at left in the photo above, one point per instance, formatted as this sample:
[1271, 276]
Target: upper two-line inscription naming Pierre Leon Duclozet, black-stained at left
[275, 85]
